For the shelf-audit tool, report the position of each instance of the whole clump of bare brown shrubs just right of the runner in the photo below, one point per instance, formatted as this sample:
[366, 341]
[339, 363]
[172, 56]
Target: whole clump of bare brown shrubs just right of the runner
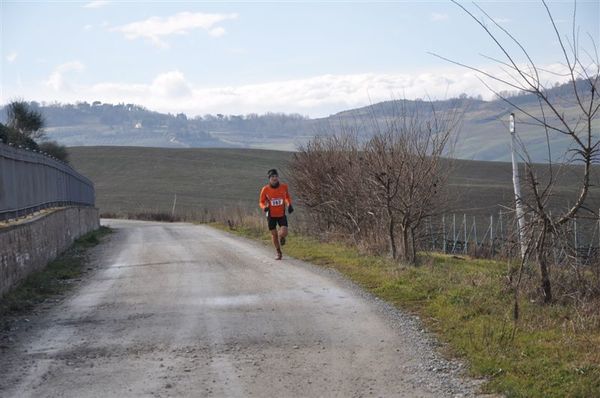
[385, 186]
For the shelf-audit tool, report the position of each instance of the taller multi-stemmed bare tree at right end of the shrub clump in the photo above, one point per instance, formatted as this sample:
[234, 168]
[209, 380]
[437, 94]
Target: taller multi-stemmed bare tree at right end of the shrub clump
[403, 162]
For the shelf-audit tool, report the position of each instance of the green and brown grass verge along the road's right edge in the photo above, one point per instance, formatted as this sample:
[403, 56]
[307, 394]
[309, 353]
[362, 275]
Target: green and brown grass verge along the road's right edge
[551, 351]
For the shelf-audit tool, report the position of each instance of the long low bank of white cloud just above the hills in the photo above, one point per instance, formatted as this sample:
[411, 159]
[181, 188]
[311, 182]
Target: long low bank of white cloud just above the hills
[316, 96]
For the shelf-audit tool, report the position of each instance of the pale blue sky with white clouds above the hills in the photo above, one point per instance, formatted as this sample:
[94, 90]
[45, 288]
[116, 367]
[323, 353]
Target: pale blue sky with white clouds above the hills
[314, 58]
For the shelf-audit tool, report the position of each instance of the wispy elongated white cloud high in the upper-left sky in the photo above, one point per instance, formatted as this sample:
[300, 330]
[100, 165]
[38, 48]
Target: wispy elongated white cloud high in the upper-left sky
[156, 29]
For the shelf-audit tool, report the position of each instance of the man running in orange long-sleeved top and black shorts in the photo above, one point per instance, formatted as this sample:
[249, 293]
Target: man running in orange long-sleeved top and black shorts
[273, 199]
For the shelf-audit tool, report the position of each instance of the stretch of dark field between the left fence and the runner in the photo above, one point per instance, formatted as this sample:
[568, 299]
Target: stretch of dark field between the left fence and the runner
[131, 179]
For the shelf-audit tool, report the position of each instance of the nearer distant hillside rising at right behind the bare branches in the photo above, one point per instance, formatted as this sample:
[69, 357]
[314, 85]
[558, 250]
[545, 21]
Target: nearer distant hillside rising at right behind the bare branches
[484, 134]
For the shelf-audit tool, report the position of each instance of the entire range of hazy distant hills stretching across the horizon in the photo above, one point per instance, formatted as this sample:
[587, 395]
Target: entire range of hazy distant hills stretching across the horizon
[483, 136]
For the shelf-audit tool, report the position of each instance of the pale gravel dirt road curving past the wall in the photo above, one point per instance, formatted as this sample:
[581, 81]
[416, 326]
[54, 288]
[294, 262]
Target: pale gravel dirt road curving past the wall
[186, 310]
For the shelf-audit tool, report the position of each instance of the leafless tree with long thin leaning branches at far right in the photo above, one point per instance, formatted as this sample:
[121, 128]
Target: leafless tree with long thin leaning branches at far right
[572, 115]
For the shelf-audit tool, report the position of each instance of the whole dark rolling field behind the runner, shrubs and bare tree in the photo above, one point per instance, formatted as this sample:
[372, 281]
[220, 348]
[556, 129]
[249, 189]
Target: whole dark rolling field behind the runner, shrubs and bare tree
[132, 179]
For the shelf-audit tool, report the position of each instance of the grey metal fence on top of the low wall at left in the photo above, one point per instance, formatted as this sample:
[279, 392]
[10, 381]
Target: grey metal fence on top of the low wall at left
[31, 181]
